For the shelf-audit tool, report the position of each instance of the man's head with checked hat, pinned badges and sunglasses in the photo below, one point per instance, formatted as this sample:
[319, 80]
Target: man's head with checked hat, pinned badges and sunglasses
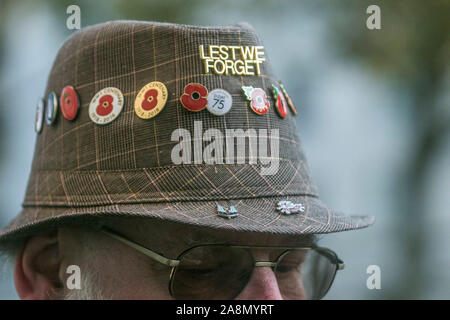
[178, 145]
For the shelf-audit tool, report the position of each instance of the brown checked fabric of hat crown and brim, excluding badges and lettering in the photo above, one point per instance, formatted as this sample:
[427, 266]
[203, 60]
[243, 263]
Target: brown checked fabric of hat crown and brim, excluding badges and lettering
[82, 170]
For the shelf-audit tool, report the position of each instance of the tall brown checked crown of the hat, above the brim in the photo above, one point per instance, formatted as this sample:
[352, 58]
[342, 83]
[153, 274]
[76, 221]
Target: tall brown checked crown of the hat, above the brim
[131, 159]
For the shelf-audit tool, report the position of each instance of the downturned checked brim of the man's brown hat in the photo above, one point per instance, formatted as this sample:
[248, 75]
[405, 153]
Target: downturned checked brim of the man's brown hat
[254, 215]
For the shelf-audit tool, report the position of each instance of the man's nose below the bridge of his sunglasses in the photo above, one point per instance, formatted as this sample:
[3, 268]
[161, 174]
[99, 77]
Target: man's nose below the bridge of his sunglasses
[262, 286]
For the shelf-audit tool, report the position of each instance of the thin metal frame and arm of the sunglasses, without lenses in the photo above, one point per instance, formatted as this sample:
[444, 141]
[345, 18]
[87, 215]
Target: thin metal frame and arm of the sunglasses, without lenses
[173, 263]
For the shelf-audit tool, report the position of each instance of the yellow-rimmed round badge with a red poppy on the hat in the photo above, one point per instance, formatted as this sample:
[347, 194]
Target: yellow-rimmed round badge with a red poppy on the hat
[150, 100]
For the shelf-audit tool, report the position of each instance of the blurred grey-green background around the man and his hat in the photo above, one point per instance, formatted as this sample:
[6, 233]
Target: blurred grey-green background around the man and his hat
[377, 102]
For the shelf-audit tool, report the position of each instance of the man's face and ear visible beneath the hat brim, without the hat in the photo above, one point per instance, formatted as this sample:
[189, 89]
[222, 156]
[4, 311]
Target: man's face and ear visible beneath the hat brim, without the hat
[112, 270]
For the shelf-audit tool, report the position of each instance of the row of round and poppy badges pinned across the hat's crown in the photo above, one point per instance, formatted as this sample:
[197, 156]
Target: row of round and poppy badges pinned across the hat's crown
[107, 104]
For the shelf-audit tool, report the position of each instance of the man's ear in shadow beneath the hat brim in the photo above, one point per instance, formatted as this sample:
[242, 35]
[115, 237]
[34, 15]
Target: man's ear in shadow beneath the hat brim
[36, 272]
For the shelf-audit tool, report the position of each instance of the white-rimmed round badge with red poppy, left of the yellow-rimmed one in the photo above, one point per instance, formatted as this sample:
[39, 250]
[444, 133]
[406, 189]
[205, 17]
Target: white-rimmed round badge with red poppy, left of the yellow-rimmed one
[106, 105]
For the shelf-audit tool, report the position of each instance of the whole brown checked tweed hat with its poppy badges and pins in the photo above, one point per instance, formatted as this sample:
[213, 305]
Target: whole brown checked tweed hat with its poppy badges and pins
[172, 122]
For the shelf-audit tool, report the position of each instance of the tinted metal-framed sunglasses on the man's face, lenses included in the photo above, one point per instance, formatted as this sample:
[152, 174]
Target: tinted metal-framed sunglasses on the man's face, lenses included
[221, 271]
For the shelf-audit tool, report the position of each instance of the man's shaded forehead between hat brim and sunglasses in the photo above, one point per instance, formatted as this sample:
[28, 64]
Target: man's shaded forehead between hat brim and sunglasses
[164, 234]
